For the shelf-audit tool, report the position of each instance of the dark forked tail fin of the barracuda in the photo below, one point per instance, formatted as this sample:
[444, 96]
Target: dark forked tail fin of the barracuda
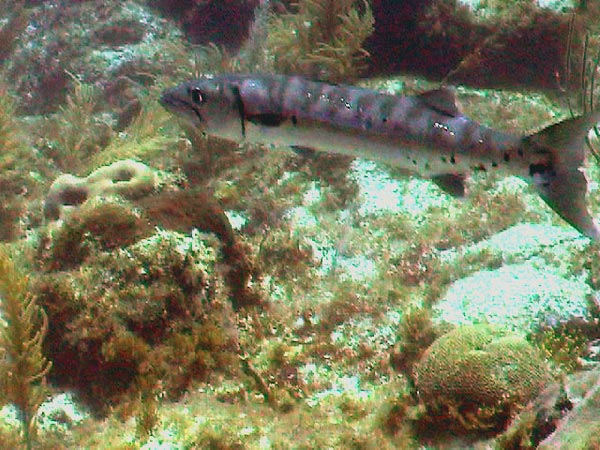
[560, 180]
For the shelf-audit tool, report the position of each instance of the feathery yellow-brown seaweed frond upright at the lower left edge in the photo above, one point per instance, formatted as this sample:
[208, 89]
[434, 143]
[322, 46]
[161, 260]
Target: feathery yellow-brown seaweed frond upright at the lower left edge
[23, 368]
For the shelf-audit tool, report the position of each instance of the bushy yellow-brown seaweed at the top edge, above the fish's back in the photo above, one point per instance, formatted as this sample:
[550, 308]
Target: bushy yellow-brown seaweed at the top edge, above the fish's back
[322, 40]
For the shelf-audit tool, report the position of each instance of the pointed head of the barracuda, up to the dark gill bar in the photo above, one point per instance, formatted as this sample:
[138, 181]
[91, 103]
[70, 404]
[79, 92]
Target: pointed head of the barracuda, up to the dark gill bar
[210, 104]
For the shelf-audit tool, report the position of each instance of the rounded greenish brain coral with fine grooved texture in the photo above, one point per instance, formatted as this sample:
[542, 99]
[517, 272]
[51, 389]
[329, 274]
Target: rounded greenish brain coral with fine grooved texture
[478, 376]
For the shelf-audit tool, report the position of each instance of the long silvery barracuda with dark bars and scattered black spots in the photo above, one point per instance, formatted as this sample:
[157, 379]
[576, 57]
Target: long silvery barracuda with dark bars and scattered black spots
[424, 134]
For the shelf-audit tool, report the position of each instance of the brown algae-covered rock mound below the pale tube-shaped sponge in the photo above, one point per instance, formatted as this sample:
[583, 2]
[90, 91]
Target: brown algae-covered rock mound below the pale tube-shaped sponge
[167, 310]
